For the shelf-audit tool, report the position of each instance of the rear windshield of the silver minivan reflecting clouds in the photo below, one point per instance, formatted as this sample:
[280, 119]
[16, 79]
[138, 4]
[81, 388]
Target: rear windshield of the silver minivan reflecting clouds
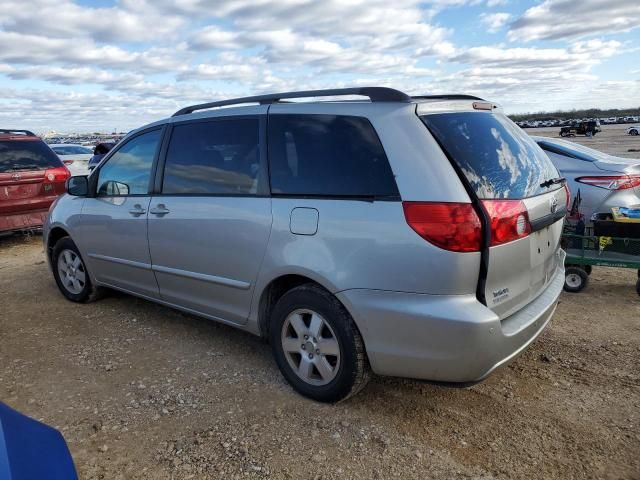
[498, 159]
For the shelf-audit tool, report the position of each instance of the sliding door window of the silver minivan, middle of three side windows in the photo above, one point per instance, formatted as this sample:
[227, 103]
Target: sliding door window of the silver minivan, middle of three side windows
[221, 156]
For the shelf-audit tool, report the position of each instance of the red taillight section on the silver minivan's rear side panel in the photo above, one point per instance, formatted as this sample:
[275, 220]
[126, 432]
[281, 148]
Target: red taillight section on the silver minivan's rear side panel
[452, 226]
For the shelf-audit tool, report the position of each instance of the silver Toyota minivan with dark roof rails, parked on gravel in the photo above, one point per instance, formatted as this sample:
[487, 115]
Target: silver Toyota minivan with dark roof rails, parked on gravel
[408, 236]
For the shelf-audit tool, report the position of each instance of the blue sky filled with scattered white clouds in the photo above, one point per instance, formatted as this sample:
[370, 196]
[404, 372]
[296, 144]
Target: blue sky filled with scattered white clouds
[100, 65]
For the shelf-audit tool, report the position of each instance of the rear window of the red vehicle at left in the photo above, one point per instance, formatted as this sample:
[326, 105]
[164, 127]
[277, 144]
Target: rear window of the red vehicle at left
[19, 155]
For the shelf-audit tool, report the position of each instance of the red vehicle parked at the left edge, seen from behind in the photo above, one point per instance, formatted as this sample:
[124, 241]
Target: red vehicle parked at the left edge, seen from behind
[31, 178]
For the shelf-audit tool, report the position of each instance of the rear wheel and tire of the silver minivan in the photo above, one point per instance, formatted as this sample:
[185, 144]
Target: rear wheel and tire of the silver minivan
[317, 345]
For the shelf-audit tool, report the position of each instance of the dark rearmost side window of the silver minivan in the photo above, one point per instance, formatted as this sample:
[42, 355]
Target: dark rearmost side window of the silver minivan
[328, 155]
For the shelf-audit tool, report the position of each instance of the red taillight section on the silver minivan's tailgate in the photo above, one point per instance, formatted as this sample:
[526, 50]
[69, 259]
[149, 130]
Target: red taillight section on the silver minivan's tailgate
[509, 220]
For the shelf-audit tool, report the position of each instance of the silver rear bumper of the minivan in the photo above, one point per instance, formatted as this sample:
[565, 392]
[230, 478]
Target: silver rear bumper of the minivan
[445, 338]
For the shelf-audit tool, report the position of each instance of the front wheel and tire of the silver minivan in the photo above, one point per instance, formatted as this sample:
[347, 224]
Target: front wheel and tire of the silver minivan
[71, 274]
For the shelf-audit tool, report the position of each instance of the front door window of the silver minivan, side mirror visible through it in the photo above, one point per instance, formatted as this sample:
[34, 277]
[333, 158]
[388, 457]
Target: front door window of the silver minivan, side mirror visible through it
[127, 171]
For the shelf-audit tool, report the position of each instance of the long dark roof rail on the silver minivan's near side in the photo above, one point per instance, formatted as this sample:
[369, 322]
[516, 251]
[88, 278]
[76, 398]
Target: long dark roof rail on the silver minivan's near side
[375, 94]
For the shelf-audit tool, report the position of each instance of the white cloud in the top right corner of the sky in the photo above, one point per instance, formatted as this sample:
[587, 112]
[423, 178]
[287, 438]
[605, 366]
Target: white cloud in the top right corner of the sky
[567, 19]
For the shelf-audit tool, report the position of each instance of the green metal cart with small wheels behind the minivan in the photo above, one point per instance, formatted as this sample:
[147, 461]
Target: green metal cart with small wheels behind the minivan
[584, 251]
